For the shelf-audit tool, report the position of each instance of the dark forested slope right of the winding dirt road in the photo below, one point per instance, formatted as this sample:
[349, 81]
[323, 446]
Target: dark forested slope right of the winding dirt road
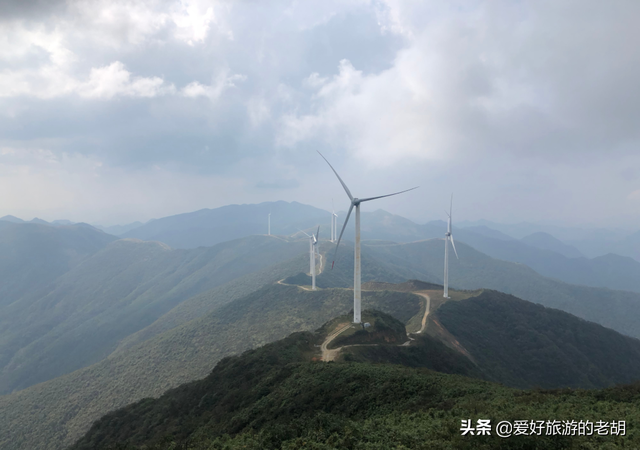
[522, 344]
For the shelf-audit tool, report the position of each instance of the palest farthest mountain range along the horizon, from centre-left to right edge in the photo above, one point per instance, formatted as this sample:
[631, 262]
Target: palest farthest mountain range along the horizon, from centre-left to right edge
[540, 251]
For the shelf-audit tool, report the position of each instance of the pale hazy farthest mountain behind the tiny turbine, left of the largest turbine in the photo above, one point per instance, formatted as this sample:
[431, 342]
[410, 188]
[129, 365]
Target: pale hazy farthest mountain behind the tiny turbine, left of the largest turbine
[211, 226]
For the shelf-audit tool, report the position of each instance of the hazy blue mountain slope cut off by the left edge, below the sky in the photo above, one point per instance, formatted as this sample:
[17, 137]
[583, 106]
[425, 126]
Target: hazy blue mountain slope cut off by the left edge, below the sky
[33, 255]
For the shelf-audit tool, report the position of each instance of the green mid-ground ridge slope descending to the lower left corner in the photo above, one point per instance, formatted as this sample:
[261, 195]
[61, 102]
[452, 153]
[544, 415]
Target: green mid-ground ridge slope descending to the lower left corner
[66, 406]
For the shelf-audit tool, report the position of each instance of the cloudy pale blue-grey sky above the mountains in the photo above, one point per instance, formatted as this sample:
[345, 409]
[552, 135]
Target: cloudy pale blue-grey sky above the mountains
[120, 111]
